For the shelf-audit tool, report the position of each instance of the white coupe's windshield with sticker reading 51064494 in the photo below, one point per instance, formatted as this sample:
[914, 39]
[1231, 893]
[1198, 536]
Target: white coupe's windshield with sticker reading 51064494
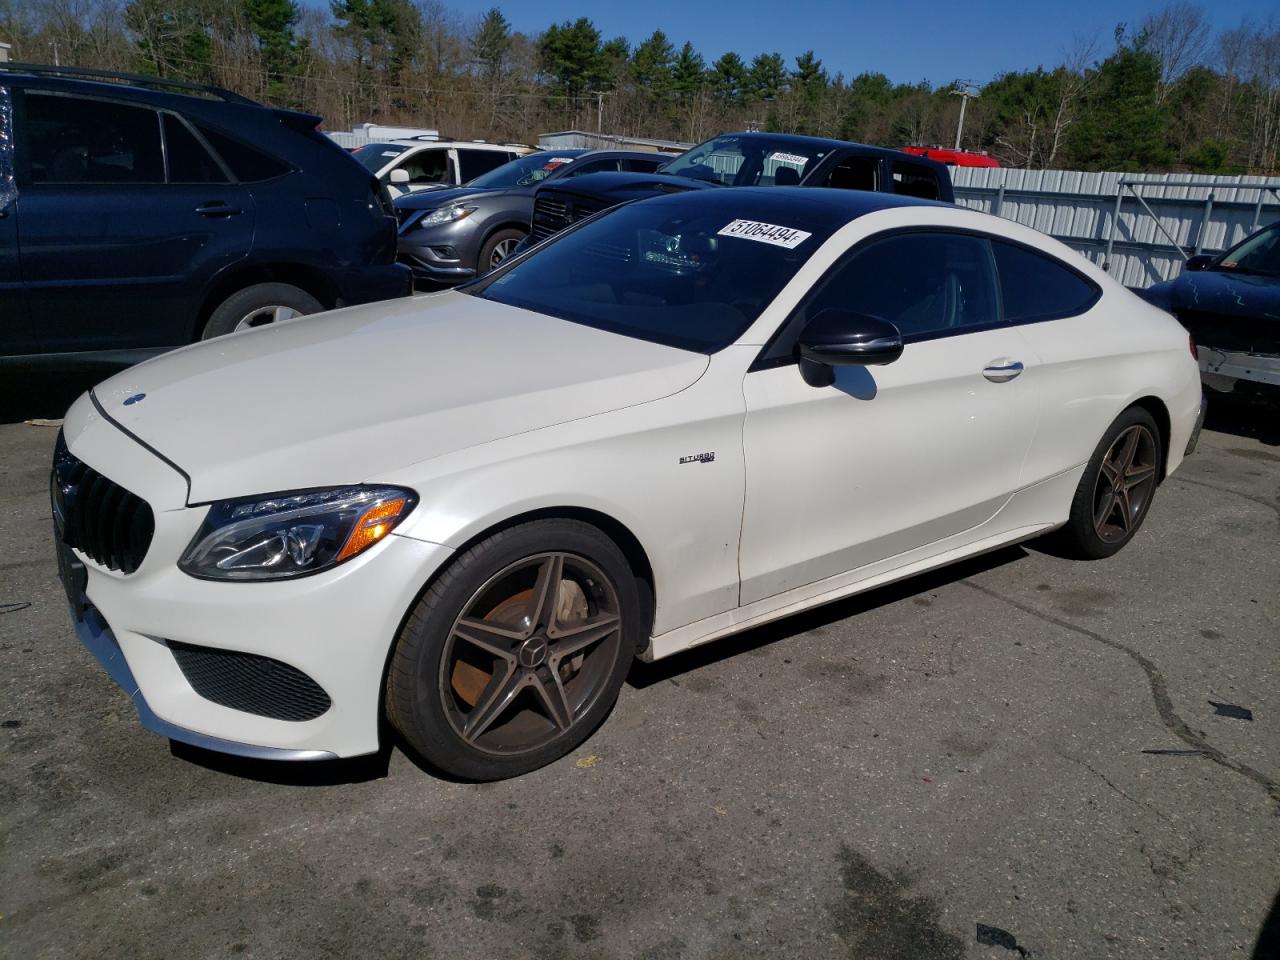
[678, 271]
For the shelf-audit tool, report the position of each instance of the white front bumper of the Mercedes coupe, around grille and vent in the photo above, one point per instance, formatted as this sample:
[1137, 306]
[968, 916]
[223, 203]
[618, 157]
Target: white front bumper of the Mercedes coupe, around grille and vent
[337, 628]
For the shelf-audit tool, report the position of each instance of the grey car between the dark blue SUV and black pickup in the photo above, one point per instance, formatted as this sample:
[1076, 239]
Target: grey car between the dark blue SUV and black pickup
[450, 236]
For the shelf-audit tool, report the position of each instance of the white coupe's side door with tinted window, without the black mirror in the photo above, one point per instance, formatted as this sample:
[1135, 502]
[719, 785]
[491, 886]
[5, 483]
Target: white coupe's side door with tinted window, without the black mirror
[889, 459]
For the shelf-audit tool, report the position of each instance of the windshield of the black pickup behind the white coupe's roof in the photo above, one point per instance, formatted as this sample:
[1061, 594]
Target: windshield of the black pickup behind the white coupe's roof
[748, 162]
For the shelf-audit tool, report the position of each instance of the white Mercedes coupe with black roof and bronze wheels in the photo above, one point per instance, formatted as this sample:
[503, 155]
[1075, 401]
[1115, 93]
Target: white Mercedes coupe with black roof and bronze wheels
[469, 513]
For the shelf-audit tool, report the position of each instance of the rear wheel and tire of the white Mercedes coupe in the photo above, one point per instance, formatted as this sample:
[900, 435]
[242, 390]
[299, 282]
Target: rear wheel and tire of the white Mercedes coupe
[1101, 523]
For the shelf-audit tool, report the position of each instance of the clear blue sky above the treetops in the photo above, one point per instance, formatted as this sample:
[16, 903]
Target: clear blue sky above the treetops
[908, 40]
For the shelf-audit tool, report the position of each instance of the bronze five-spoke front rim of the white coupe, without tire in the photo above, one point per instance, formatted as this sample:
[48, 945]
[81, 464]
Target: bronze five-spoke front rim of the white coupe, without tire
[531, 655]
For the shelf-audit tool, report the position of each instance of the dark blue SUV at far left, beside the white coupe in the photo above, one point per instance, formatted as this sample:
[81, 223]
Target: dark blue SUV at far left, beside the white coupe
[138, 216]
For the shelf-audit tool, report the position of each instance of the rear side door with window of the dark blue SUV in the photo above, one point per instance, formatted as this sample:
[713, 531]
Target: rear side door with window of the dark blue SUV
[117, 237]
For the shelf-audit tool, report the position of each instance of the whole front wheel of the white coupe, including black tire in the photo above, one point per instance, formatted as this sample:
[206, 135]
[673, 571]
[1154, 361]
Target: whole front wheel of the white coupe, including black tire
[488, 659]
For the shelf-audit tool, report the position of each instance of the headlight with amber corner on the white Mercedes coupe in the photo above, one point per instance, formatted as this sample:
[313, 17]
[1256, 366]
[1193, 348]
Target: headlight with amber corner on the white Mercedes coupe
[294, 534]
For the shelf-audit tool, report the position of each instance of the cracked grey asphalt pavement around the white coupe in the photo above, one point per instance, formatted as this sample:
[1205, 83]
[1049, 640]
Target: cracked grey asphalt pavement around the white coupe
[1017, 757]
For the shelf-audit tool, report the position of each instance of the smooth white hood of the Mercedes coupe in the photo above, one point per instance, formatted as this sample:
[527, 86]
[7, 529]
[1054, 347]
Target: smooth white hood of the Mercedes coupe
[353, 395]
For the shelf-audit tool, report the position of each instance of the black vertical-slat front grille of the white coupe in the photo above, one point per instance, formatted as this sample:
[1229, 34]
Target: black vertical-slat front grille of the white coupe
[98, 516]
